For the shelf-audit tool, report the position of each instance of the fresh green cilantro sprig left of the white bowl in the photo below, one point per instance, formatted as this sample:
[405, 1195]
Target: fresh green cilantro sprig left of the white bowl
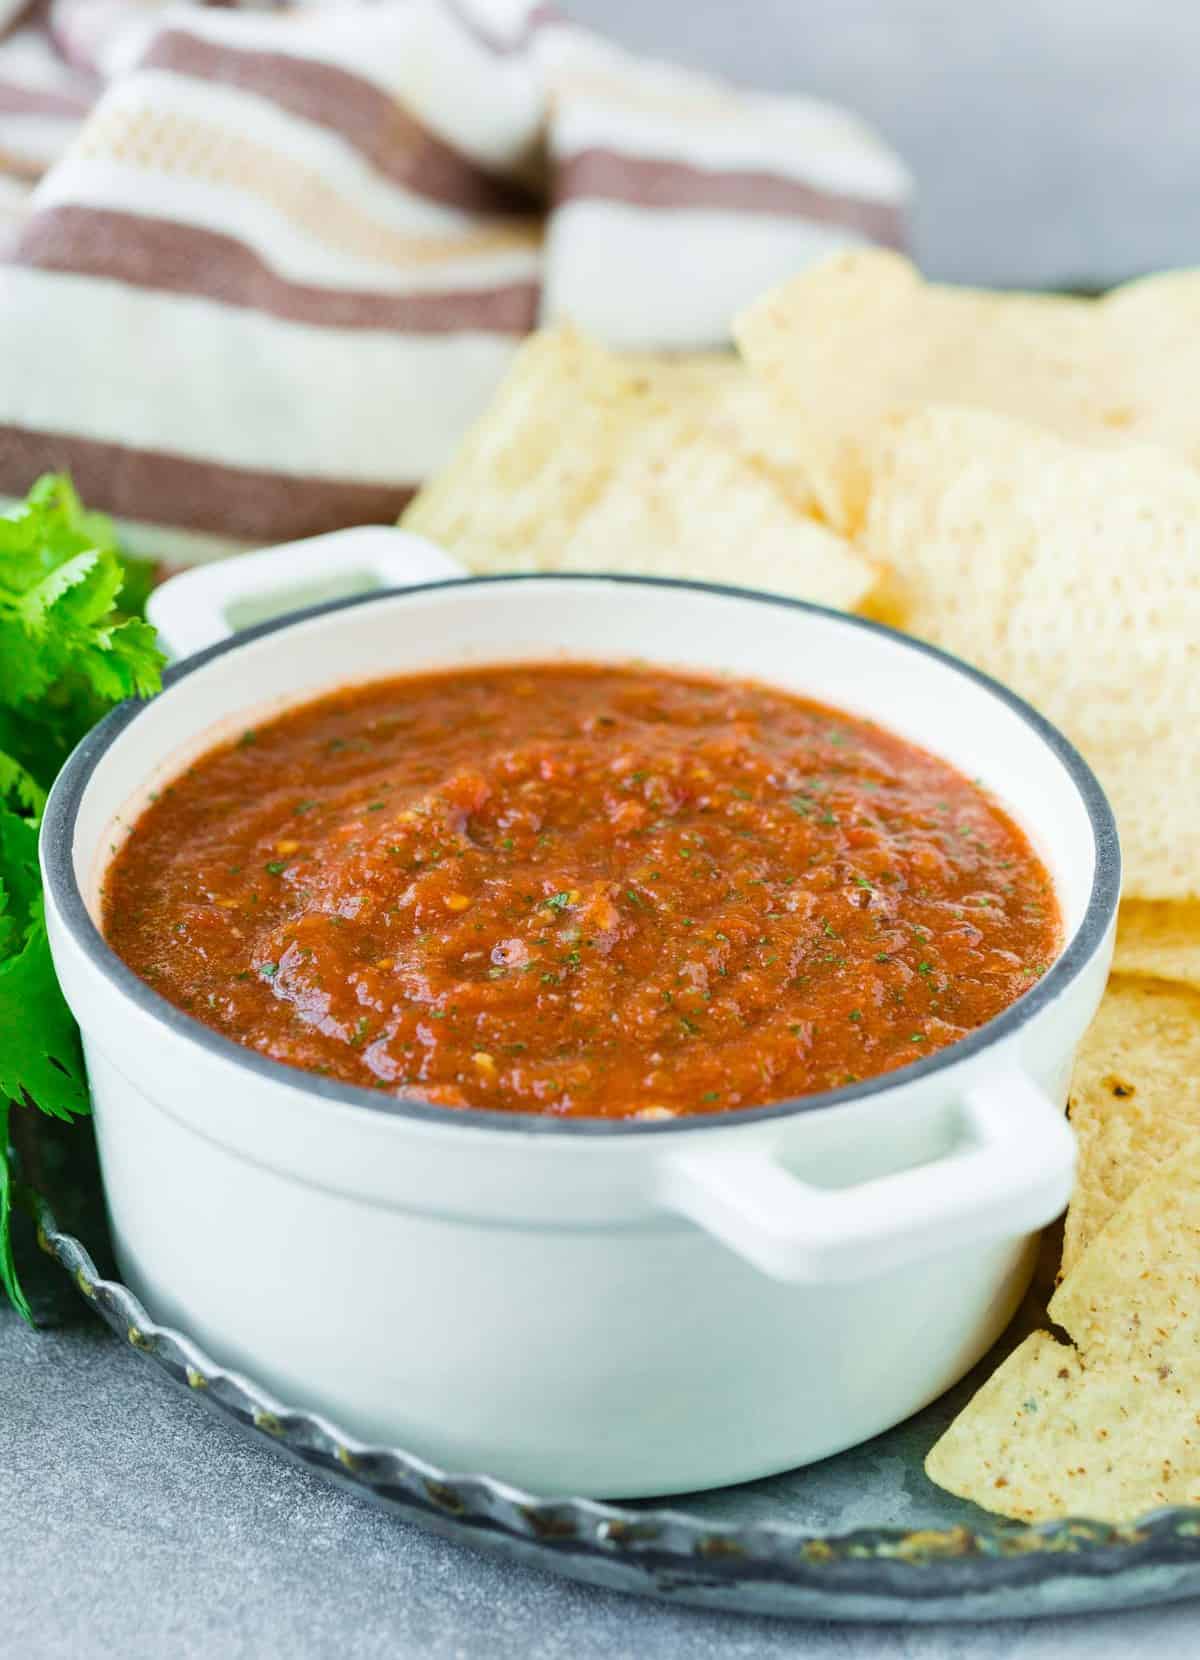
[72, 645]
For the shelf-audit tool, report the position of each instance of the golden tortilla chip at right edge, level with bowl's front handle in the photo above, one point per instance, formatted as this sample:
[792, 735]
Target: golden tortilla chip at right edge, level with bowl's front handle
[1134, 1100]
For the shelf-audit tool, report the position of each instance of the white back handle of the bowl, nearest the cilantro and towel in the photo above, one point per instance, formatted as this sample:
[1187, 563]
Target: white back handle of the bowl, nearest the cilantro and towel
[213, 602]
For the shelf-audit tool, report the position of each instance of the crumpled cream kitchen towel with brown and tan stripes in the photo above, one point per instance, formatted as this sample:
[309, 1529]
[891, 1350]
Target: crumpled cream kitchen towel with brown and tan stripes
[283, 255]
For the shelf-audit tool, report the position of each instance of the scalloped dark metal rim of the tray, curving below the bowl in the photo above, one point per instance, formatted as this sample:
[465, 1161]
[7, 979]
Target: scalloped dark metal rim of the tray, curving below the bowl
[995, 1571]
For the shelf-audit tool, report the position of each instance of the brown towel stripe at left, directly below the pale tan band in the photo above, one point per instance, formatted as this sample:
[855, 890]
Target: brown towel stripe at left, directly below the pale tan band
[178, 258]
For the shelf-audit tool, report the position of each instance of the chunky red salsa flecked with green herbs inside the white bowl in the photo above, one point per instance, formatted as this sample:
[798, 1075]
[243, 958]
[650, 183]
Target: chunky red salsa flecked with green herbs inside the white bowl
[583, 891]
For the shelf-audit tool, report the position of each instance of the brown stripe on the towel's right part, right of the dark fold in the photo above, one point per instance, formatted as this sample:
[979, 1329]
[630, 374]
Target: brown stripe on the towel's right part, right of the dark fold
[645, 182]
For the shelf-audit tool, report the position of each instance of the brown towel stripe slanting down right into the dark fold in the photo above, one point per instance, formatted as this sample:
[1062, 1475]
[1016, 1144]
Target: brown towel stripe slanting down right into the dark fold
[376, 125]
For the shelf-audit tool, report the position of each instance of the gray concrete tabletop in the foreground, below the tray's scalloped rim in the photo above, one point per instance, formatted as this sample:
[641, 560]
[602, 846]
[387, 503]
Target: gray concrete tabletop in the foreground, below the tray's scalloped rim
[135, 1526]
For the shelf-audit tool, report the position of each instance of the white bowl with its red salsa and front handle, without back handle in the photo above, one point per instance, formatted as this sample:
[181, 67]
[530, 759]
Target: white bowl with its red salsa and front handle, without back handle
[608, 1033]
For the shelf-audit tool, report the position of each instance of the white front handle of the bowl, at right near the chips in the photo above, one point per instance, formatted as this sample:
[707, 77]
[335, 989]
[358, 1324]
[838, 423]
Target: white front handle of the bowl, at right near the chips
[1010, 1173]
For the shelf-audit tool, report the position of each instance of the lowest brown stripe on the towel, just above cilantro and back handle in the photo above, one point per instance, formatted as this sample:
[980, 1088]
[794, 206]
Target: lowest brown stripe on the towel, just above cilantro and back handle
[157, 487]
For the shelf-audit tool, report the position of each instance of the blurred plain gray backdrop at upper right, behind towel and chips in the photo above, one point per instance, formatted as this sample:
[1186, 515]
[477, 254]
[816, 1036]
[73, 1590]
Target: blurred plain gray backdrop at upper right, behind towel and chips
[1053, 142]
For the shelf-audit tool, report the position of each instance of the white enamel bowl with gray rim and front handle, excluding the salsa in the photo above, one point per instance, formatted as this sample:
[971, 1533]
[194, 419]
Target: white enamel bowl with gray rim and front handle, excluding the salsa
[582, 1307]
